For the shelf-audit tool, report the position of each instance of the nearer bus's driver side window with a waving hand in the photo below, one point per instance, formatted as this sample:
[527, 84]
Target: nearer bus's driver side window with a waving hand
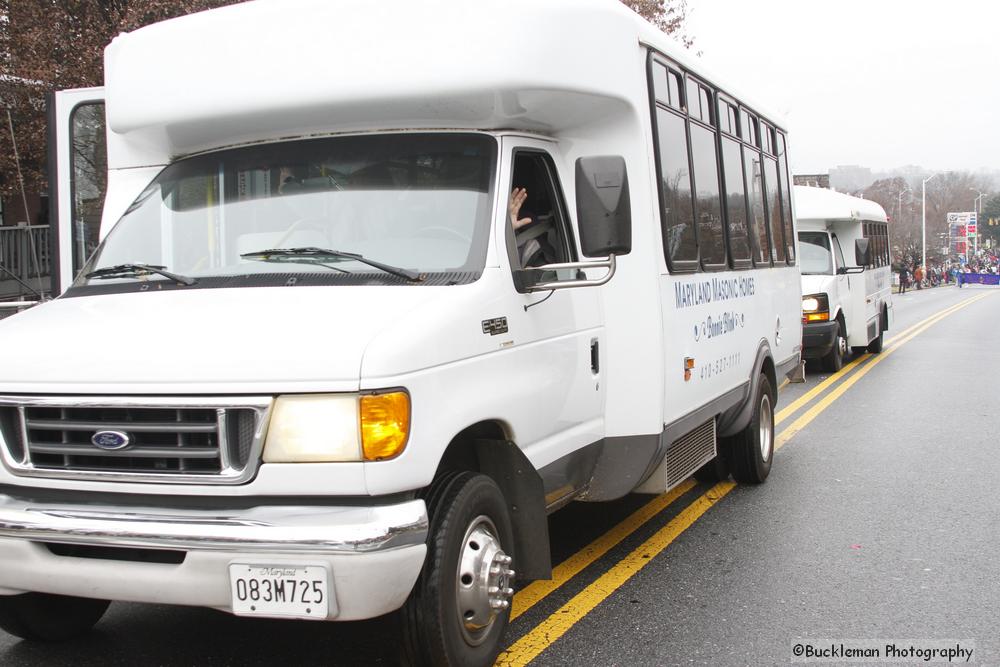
[541, 234]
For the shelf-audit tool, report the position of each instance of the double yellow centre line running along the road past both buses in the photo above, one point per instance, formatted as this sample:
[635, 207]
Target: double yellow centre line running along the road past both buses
[528, 647]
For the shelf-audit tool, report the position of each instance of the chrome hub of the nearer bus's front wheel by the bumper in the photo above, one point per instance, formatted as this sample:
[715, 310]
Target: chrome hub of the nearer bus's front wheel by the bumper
[484, 576]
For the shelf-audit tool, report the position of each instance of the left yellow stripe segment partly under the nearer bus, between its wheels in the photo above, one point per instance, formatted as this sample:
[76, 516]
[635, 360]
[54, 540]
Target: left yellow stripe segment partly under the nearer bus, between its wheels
[534, 592]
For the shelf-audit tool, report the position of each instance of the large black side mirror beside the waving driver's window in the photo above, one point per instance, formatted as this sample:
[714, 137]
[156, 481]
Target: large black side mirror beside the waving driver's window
[603, 210]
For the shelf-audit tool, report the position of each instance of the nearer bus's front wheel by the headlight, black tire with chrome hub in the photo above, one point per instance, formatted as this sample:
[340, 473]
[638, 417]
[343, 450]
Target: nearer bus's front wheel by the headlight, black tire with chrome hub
[434, 626]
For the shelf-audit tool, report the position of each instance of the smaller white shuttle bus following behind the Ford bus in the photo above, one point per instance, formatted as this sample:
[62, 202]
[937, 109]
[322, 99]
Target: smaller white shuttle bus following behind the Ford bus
[843, 306]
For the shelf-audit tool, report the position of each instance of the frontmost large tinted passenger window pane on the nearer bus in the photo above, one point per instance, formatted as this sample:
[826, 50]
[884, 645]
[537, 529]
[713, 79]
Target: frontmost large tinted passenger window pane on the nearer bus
[680, 245]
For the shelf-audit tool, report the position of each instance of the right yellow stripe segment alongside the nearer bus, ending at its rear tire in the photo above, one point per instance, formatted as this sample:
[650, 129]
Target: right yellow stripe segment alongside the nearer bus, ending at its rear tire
[528, 647]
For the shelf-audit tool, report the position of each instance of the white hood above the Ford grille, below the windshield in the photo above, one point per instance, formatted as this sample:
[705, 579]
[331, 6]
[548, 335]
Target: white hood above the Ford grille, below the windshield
[247, 340]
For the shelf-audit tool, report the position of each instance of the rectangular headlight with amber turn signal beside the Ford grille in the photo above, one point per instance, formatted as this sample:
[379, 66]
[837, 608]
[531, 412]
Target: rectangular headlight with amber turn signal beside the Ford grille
[337, 427]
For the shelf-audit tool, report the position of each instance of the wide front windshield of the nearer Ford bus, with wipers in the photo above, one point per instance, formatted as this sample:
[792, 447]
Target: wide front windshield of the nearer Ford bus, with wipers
[386, 207]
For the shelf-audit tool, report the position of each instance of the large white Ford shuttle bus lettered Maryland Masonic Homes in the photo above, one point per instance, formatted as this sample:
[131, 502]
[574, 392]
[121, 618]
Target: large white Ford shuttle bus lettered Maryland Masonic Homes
[312, 371]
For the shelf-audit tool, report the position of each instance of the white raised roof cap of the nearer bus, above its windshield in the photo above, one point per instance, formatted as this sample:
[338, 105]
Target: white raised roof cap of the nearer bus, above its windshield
[271, 69]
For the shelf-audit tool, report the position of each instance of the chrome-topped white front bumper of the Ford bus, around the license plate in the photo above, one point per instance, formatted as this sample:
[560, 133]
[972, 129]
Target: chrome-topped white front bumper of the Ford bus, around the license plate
[374, 553]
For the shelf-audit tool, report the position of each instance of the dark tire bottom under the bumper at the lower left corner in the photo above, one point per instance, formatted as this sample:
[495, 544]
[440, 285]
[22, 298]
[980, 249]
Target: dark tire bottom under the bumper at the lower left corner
[51, 618]
